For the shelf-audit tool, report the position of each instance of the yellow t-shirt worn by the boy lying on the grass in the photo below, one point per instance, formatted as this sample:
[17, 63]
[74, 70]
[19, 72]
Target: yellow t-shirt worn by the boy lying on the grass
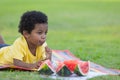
[19, 50]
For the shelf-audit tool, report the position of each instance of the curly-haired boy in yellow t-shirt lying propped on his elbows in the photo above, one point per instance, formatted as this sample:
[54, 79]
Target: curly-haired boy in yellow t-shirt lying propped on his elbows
[29, 50]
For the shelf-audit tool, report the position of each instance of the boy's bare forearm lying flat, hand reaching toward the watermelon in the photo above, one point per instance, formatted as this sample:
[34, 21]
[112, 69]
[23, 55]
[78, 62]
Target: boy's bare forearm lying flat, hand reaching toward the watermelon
[20, 63]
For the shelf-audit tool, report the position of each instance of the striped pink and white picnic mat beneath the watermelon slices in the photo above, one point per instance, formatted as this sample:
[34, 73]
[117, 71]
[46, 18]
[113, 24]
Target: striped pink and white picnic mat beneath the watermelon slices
[62, 55]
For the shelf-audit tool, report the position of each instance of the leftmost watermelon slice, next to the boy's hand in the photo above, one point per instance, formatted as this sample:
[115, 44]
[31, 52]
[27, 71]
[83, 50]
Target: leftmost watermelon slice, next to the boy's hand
[46, 68]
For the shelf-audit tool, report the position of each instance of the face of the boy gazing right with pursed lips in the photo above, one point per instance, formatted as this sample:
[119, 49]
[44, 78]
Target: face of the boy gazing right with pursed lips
[38, 35]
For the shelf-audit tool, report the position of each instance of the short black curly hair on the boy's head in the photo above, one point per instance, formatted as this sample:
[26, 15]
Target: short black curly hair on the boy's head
[30, 18]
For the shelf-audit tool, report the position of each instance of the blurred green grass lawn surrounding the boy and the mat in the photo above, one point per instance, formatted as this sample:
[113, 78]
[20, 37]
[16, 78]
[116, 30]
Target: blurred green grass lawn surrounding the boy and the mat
[90, 29]
